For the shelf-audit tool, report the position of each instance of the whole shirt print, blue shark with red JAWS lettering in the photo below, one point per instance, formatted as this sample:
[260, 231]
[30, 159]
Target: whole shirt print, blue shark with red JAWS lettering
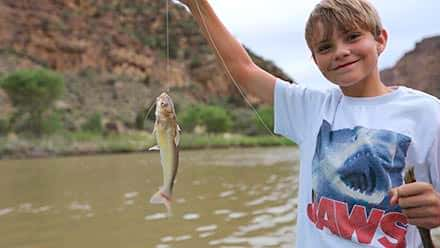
[352, 172]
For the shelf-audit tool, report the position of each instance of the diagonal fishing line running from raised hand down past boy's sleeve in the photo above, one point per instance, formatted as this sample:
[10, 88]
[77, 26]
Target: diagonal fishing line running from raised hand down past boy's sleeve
[228, 71]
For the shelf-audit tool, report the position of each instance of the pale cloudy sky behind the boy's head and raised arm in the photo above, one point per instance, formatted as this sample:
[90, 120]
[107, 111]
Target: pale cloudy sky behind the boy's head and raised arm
[275, 30]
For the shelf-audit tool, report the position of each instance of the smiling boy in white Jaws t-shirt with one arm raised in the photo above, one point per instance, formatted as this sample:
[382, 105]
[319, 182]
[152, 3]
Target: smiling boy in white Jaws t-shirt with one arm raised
[355, 141]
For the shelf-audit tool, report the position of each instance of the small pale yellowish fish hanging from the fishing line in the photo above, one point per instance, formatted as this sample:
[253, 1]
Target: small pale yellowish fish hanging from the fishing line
[167, 134]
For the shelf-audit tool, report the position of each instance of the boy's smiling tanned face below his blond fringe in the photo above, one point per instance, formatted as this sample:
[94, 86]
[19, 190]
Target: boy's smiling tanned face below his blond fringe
[348, 58]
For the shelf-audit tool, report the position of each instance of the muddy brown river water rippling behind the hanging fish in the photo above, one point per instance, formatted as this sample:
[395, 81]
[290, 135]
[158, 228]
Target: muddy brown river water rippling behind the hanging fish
[223, 198]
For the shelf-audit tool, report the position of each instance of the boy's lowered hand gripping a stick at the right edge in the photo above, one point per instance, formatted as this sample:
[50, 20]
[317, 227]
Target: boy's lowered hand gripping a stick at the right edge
[420, 203]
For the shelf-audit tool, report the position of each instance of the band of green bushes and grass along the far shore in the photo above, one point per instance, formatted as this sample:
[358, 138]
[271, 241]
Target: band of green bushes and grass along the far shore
[40, 123]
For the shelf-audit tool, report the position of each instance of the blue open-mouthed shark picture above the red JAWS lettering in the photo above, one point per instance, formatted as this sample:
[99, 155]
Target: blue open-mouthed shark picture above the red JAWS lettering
[359, 165]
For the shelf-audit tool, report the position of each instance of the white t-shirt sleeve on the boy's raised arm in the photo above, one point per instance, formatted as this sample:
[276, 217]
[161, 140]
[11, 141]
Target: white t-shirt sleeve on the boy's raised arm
[296, 108]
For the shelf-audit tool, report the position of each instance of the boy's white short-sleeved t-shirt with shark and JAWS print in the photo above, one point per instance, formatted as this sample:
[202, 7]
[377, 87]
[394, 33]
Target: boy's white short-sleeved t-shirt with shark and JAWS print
[353, 150]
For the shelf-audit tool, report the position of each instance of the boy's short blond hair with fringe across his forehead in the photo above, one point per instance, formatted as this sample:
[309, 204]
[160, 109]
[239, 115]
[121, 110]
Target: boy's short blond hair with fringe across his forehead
[344, 15]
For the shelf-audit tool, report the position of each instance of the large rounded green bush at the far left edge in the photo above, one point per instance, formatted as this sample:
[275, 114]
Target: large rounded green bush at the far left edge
[32, 92]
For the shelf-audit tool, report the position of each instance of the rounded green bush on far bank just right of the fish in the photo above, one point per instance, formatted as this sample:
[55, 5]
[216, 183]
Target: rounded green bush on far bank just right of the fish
[214, 118]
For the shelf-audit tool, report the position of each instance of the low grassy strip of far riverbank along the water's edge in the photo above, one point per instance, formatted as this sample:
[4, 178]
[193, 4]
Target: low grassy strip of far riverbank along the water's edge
[83, 143]
